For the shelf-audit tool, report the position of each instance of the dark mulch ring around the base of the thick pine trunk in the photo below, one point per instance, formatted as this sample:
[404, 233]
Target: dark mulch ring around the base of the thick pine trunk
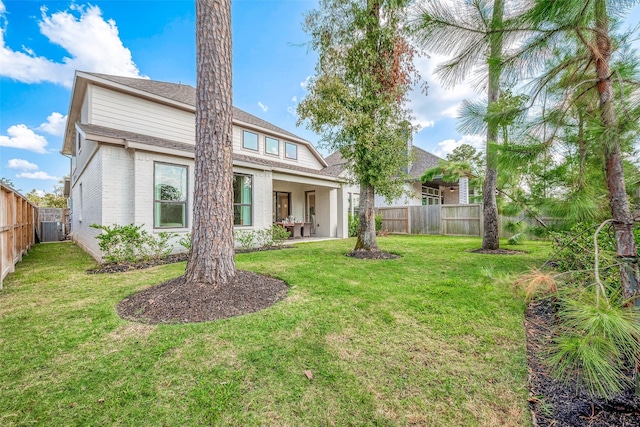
[178, 301]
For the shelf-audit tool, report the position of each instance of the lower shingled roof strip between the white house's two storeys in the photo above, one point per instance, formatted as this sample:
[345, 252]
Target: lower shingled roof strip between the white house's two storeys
[150, 143]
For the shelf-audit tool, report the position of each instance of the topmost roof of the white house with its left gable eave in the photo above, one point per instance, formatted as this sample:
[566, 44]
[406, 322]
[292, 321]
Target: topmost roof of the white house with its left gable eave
[175, 94]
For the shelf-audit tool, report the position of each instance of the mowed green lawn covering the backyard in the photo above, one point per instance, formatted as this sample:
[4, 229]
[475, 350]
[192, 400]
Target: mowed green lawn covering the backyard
[434, 338]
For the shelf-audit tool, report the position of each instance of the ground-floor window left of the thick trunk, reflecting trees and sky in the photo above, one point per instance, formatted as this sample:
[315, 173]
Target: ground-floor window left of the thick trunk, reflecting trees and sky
[170, 196]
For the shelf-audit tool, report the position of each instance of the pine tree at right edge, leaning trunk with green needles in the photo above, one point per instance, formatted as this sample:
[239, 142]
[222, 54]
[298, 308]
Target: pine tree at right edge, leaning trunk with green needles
[588, 21]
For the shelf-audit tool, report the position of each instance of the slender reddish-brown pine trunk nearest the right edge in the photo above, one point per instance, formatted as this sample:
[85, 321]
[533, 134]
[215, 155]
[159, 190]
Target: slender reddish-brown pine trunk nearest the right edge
[626, 250]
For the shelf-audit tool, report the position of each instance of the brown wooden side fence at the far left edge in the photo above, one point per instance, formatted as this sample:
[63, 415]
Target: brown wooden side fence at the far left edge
[18, 219]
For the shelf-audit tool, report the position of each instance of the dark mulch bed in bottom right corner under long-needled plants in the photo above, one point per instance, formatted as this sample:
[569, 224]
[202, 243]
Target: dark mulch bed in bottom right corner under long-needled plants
[554, 403]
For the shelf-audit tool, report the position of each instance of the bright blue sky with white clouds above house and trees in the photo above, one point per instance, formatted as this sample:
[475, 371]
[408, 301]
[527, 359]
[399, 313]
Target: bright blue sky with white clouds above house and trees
[43, 42]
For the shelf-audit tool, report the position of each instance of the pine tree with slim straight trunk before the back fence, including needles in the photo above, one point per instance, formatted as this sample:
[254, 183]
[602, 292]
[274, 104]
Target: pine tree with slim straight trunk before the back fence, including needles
[476, 34]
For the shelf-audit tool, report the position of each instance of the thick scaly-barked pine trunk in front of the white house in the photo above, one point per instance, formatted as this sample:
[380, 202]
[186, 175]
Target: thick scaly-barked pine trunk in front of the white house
[211, 258]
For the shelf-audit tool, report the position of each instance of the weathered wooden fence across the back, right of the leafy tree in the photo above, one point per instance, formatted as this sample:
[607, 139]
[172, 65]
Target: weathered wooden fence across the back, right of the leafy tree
[448, 220]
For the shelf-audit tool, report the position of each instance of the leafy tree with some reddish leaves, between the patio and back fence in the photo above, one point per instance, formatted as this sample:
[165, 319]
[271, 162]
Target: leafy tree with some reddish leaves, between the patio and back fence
[356, 99]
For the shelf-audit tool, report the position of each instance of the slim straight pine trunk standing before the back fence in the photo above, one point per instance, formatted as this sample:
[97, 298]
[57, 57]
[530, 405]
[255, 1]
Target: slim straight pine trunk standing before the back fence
[491, 236]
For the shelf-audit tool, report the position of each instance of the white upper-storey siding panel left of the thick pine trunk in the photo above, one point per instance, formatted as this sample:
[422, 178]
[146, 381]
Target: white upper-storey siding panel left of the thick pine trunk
[125, 112]
